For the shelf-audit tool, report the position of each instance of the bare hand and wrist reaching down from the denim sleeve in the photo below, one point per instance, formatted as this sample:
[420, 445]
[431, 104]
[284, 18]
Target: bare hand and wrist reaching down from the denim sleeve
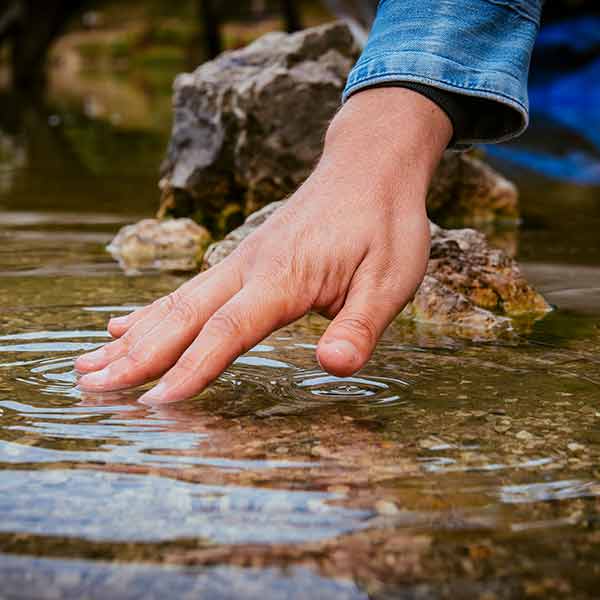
[352, 243]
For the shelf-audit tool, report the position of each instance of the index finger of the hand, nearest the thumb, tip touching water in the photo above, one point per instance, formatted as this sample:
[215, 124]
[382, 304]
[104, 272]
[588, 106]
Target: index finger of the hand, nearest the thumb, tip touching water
[244, 321]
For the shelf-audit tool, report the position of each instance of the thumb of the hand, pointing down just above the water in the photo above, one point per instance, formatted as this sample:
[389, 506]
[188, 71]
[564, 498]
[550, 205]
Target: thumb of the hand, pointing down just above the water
[350, 339]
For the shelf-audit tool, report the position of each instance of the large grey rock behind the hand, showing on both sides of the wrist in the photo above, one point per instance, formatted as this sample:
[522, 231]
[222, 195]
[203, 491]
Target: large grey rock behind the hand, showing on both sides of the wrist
[249, 127]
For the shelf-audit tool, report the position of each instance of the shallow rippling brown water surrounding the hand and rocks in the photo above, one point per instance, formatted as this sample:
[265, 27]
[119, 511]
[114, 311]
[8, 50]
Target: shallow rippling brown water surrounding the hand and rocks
[444, 470]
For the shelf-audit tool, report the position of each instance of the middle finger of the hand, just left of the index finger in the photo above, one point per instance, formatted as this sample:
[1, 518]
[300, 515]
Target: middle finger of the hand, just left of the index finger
[140, 357]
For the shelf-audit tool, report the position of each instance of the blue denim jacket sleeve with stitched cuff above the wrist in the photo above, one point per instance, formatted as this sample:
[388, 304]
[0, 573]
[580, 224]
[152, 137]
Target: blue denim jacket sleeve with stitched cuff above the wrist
[477, 48]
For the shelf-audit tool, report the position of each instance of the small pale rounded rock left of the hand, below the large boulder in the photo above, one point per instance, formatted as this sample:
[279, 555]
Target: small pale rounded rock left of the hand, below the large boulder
[169, 245]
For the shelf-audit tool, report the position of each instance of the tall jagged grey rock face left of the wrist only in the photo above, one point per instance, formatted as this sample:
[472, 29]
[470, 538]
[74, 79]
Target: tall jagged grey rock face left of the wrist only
[250, 123]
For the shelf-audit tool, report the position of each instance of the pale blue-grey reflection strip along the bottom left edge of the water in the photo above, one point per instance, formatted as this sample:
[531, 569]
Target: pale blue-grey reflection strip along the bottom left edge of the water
[97, 580]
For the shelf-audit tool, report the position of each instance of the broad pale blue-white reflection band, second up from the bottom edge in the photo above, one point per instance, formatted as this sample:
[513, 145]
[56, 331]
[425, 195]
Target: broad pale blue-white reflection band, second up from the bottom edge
[148, 508]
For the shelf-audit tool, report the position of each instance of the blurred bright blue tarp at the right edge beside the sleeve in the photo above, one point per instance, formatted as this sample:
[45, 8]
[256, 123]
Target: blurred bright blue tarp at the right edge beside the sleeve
[567, 100]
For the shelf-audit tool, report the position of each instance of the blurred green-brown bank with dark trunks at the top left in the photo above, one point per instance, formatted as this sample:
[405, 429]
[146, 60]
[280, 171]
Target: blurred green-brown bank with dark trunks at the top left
[132, 34]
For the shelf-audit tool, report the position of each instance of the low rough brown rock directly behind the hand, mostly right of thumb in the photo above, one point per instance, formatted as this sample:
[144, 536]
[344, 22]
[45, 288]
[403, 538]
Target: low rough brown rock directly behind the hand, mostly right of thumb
[469, 286]
